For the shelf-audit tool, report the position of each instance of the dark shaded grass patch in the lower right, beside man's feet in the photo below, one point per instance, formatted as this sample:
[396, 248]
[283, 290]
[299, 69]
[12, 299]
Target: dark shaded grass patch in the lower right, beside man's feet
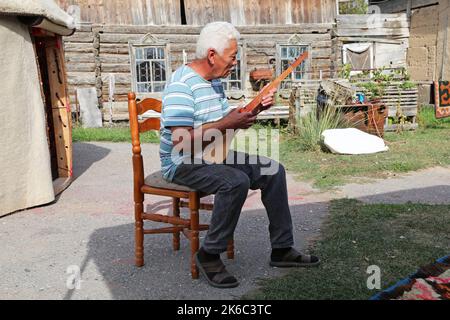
[397, 238]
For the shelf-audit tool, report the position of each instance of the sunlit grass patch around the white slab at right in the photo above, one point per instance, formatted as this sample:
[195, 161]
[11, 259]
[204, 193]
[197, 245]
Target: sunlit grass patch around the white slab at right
[428, 146]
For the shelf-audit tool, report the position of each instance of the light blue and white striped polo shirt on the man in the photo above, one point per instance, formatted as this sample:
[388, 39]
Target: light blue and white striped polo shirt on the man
[188, 101]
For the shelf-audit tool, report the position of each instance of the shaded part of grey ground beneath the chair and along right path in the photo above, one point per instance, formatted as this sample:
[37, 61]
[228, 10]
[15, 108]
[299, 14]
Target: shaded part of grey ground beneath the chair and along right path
[166, 274]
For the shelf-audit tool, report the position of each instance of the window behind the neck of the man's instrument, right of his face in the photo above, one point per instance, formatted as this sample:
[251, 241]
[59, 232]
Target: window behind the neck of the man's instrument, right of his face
[287, 55]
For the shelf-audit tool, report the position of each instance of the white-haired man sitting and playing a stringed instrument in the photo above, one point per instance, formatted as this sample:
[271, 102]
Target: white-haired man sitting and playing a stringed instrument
[193, 101]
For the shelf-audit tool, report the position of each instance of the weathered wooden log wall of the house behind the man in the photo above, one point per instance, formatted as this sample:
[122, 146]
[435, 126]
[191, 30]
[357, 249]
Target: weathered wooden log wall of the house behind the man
[100, 47]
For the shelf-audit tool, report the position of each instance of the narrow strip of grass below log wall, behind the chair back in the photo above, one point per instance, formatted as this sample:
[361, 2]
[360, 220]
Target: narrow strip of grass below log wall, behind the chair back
[113, 134]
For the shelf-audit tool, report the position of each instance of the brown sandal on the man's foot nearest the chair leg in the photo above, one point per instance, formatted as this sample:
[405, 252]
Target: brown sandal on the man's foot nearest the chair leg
[220, 273]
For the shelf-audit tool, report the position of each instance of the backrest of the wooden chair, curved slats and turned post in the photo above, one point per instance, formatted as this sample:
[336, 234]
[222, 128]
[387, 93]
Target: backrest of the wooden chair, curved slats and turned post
[136, 108]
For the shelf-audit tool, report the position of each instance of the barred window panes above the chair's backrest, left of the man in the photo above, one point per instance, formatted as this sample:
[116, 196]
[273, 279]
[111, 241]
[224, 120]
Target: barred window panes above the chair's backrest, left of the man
[150, 69]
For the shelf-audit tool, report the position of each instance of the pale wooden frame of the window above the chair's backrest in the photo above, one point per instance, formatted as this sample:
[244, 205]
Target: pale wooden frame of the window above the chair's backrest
[149, 41]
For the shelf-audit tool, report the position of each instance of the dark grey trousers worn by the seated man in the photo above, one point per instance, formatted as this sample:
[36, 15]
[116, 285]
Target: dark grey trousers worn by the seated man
[230, 182]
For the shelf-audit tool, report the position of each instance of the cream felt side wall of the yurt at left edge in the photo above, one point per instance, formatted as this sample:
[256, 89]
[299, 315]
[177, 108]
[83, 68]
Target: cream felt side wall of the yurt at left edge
[25, 173]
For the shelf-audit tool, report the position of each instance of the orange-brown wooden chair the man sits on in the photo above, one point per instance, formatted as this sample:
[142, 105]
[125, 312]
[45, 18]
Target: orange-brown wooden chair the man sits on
[156, 185]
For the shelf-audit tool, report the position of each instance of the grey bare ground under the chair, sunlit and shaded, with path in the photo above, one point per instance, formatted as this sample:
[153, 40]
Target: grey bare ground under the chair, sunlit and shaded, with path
[89, 228]
